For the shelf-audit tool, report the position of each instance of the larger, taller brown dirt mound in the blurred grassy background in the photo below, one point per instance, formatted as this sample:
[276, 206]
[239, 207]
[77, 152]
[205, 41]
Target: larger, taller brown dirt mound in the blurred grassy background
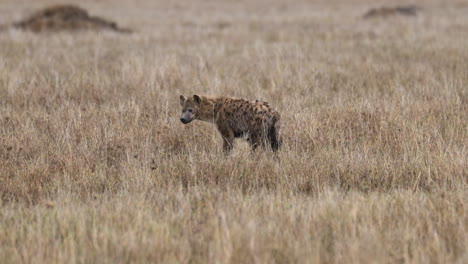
[66, 18]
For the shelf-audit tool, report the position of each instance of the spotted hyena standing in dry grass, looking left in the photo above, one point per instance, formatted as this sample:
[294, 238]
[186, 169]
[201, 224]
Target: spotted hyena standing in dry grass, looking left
[255, 121]
